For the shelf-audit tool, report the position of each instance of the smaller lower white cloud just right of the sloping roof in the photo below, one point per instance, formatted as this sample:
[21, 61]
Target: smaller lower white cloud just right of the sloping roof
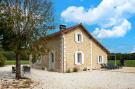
[116, 31]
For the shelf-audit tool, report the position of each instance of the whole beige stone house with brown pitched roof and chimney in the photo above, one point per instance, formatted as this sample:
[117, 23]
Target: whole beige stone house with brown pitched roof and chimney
[73, 47]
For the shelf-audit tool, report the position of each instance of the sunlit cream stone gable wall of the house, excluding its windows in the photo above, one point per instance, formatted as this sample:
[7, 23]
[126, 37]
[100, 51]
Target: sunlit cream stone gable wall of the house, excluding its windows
[71, 47]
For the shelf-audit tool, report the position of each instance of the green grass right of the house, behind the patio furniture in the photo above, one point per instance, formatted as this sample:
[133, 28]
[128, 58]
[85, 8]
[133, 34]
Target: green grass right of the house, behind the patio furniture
[128, 63]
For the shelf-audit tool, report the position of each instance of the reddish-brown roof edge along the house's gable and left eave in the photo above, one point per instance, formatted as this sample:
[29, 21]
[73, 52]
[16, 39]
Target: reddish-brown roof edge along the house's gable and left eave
[84, 29]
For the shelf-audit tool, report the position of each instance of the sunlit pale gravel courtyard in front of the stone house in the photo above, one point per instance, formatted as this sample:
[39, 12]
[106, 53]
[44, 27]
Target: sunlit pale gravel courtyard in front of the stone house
[95, 79]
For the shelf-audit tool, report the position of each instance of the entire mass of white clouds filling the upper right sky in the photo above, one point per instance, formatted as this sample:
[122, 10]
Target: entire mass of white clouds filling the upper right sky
[109, 15]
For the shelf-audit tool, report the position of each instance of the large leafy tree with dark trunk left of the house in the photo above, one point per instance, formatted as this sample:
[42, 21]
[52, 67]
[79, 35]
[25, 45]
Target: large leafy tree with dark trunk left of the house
[23, 22]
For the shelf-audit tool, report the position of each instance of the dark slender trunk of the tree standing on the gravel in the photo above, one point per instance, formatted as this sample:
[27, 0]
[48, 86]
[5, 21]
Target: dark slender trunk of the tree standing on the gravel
[18, 70]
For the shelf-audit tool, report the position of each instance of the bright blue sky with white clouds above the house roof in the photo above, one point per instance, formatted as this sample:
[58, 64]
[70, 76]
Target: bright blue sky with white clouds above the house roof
[112, 22]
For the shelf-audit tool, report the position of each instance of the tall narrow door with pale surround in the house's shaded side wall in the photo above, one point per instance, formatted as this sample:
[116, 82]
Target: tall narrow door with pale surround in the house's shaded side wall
[51, 60]
